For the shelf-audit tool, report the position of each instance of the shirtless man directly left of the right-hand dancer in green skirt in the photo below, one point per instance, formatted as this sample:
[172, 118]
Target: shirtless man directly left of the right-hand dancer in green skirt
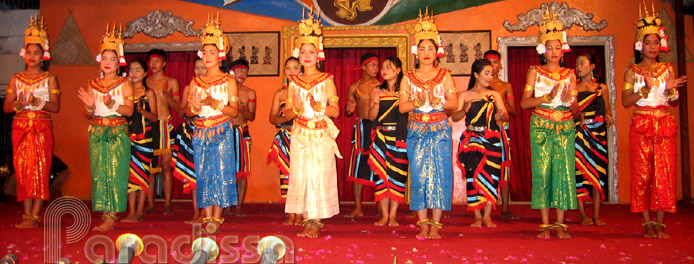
[506, 91]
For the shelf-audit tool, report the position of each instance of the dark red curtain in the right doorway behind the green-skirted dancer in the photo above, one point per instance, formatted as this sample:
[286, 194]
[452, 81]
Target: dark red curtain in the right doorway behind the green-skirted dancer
[519, 61]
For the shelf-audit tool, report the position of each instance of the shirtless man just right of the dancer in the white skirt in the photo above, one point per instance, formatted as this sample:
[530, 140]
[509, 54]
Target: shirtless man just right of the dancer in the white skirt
[358, 97]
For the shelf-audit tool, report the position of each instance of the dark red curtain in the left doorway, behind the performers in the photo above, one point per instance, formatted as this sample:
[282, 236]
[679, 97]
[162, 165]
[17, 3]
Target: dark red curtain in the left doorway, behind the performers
[180, 65]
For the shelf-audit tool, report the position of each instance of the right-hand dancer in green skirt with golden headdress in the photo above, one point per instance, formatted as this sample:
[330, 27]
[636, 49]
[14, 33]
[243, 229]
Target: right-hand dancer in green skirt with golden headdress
[550, 90]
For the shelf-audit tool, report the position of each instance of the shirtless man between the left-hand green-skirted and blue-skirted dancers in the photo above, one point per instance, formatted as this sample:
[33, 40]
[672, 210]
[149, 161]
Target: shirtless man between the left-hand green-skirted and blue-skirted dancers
[167, 91]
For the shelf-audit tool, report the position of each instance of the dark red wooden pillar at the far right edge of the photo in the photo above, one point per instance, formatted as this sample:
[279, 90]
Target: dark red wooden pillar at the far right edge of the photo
[684, 115]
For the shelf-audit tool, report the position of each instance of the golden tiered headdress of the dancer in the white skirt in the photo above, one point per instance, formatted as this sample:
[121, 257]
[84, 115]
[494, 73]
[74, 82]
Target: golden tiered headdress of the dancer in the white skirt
[311, 31]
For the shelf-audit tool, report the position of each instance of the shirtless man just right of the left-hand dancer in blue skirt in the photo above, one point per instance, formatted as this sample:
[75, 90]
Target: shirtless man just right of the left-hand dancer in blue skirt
[242, 137]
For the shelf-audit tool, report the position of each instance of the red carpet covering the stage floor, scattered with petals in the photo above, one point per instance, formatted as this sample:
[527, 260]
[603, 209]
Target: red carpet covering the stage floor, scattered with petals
[358, 241]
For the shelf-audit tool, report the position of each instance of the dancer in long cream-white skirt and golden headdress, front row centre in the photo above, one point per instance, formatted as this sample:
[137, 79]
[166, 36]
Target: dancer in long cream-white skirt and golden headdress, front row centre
[313, 101]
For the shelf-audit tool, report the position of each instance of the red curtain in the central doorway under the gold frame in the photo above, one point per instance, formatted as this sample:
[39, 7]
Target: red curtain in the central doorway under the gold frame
[341, 63]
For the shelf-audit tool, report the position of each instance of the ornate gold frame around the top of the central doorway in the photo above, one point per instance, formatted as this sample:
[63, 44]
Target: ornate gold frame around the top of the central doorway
[391, 36]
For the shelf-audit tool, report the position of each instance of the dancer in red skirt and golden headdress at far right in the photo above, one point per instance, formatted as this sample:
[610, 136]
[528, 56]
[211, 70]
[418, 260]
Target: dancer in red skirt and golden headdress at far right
[651, 87]
